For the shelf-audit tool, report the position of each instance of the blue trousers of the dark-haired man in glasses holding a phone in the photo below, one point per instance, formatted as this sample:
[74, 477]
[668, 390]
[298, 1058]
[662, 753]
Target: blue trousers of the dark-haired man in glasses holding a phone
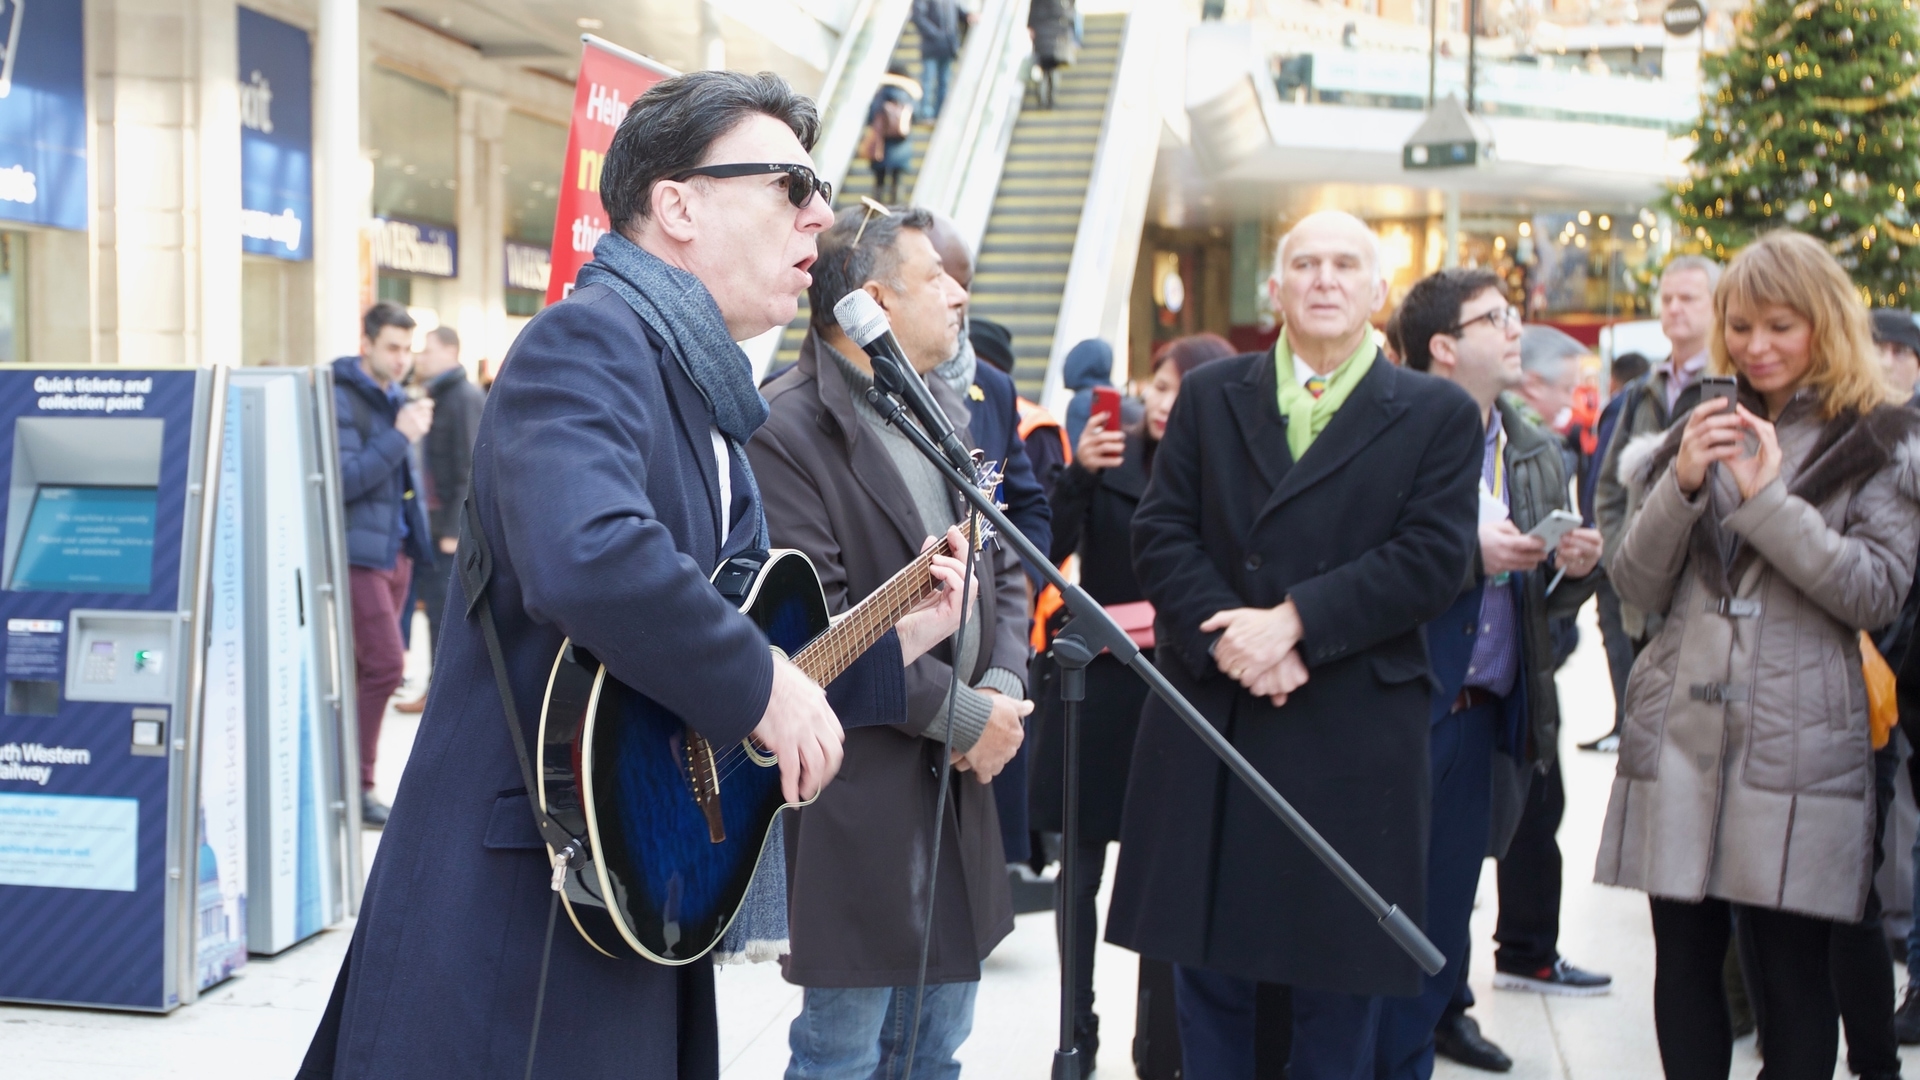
[1462, 818]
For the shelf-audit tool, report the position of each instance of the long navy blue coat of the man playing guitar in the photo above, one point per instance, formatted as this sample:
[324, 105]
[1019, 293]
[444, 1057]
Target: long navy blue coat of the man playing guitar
[598, 493]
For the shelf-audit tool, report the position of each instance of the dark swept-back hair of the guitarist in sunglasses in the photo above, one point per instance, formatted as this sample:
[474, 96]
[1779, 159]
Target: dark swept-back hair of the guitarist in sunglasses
[673, 126]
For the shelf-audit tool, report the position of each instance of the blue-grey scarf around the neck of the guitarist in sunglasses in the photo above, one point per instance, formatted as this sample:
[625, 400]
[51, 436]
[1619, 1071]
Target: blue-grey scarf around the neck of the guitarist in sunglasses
[679, 308]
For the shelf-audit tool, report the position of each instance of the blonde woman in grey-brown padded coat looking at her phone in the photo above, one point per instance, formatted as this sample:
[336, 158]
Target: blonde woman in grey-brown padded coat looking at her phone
[1773, 529]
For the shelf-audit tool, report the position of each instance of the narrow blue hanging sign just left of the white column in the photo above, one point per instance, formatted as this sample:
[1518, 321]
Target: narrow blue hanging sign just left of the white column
[276, 137]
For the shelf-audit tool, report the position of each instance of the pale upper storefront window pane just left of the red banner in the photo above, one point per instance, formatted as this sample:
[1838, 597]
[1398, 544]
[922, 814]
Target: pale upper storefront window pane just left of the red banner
[414, 149]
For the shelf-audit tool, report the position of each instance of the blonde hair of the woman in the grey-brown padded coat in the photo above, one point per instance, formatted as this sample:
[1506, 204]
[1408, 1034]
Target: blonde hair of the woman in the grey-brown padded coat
[1796, 272]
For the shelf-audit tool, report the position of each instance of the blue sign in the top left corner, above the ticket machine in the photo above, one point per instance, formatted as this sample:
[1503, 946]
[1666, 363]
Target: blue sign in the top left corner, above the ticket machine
[43, 114]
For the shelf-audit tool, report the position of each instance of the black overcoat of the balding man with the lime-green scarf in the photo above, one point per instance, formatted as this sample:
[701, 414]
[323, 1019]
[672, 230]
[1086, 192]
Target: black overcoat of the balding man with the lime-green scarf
[1370, 535]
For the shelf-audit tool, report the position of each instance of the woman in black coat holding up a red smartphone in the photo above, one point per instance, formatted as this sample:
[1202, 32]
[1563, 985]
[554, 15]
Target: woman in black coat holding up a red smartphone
[1093, 518]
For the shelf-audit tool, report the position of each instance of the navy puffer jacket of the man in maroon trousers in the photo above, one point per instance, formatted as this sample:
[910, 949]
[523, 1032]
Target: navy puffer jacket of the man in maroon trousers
[375, 474]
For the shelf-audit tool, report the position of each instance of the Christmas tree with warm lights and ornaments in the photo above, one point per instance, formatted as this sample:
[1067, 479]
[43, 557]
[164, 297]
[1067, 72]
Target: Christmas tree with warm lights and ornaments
[1813, 122]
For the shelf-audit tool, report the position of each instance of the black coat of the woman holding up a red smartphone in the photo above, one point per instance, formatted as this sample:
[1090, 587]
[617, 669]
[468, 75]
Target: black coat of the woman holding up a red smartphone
[1093, 520]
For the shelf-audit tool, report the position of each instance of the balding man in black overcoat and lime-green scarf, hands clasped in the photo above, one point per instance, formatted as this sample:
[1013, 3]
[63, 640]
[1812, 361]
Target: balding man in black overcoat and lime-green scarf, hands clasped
[1310, 508]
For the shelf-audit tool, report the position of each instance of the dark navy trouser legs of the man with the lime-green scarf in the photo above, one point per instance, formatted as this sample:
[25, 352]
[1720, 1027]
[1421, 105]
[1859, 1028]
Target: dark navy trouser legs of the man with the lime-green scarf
[1333, 1033]
